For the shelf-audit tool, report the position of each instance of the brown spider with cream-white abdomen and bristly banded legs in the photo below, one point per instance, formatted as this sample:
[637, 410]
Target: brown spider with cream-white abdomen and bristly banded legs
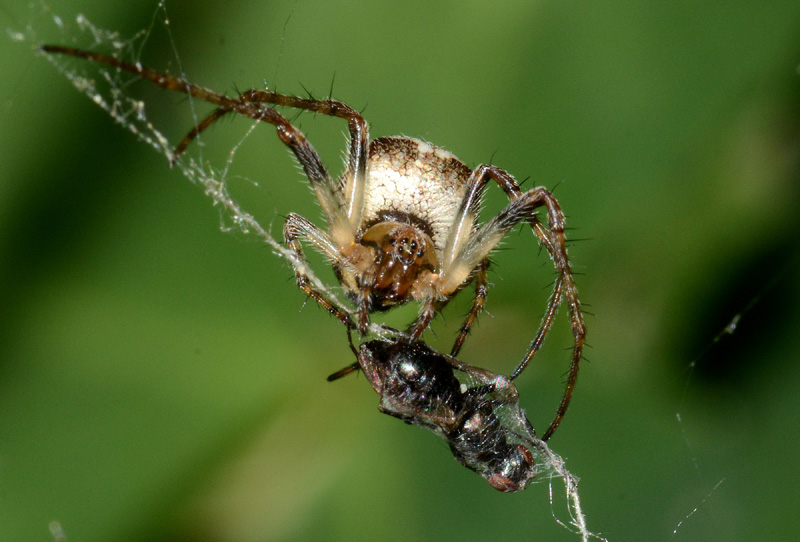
[402, 218]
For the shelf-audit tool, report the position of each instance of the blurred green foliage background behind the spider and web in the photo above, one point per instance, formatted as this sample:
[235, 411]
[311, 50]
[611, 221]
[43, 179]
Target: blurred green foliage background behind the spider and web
[162, 380]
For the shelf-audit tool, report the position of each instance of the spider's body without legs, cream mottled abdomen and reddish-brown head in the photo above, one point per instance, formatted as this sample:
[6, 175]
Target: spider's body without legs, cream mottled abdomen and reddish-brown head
[411, 198]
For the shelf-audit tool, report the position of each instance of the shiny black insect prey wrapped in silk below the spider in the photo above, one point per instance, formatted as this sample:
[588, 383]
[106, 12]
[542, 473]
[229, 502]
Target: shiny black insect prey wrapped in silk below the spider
[480, 419]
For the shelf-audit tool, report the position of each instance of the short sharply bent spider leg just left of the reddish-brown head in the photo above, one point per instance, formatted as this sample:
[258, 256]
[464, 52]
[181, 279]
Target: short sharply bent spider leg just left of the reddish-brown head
[297, 227]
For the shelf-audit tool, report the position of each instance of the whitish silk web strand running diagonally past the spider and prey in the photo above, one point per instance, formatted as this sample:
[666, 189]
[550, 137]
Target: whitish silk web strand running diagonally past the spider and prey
[109, 89]
